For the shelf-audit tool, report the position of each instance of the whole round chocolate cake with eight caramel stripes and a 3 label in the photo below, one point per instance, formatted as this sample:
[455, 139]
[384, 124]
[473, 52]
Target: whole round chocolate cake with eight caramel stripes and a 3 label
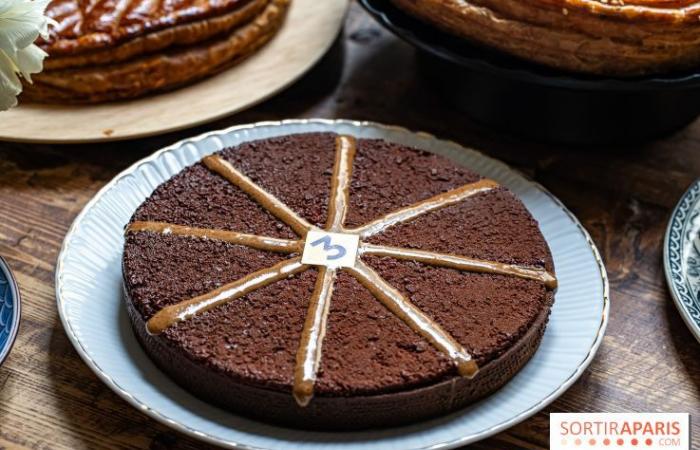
[323, 281]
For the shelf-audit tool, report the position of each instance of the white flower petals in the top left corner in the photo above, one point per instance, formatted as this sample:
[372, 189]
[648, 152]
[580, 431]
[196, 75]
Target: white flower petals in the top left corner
[21, 23]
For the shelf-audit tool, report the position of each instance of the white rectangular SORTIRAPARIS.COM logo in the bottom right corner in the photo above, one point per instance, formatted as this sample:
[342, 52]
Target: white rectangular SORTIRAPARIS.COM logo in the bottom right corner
[619, 431]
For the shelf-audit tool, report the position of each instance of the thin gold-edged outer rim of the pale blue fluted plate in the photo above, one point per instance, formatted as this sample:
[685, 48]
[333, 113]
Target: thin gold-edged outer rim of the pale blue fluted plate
[164, 419]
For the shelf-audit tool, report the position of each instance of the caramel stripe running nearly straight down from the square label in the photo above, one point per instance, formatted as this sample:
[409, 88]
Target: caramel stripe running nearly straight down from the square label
[310, 346]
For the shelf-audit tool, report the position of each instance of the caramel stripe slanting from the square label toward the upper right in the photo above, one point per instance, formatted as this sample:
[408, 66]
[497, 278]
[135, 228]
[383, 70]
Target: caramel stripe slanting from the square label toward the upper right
[411, 212]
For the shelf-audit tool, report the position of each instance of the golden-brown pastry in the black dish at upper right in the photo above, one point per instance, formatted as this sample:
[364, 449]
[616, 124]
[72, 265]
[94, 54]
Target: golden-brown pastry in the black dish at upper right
[610, 37]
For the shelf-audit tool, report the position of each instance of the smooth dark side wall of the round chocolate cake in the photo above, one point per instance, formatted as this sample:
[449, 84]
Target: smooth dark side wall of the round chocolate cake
[337, 413]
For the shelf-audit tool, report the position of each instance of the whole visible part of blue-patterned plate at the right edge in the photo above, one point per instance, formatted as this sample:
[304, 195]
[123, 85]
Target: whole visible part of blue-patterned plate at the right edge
[682, 257]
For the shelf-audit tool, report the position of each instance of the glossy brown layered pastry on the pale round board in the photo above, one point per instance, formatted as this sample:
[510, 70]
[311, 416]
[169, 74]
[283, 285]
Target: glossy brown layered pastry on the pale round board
[115, 49]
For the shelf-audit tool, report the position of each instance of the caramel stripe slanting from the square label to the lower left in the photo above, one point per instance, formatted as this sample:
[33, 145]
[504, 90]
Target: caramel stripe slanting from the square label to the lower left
[184, 310]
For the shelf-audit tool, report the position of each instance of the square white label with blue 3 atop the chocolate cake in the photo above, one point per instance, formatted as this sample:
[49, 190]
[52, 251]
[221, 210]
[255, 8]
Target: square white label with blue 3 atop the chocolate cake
[330, 249]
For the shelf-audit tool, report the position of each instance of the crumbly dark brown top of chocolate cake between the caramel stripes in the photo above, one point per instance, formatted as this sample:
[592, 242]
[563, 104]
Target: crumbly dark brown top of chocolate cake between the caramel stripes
[367, 350]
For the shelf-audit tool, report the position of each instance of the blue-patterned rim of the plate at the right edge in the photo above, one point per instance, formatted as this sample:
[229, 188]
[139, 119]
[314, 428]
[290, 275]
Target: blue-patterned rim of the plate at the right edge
[677, 220]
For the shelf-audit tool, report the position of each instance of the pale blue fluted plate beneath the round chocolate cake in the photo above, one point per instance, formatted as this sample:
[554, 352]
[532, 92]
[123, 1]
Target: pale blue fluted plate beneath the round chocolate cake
[88, 292]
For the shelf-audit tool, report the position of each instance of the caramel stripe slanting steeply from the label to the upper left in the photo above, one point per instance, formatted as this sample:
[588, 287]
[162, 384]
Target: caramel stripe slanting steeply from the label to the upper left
[262, 197]
